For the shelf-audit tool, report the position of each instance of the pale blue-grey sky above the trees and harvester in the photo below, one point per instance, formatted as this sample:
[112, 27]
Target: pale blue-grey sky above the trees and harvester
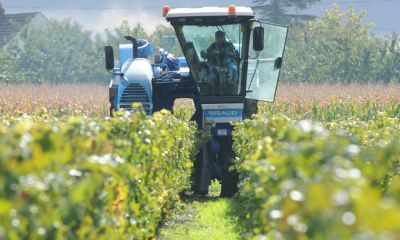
[97, 15]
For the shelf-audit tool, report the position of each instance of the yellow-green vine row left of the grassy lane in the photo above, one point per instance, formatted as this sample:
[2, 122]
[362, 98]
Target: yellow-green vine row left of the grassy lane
[77, 178]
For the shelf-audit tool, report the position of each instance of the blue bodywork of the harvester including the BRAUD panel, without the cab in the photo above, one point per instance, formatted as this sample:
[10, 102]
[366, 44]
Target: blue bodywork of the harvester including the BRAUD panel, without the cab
[157, 85]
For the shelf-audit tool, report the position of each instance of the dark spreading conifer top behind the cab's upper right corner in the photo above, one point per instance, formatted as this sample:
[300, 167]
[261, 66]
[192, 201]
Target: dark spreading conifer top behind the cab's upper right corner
[277, 11]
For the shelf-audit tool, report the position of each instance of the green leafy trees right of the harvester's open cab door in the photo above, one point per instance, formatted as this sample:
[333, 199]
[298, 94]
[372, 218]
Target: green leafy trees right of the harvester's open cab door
[338, 48]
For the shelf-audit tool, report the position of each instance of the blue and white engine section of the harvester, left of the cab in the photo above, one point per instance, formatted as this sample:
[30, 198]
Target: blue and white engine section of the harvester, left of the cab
[155, 85]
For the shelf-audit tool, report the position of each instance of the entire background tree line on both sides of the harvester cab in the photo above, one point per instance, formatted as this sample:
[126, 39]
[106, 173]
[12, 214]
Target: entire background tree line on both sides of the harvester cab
[336, 47]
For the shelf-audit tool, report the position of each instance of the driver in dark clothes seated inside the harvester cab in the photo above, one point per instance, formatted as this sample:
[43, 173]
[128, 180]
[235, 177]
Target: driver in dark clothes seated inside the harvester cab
[222, 61]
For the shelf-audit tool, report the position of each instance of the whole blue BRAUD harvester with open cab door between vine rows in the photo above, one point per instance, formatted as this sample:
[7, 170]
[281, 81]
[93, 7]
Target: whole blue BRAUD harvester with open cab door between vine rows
[231, 61]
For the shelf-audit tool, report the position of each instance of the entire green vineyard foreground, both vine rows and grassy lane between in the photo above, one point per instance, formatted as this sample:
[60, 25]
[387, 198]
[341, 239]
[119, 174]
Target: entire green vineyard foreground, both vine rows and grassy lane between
[308, 170]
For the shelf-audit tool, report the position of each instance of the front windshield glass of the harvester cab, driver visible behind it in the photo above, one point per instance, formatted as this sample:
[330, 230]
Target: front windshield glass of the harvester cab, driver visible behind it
[214, 54]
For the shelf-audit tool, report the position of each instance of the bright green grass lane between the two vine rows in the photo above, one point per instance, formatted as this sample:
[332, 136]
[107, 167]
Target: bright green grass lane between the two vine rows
[207, 217]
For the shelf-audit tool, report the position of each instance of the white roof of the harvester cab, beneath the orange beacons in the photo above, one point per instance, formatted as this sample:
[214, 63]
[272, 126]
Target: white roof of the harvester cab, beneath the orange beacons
[208, 12]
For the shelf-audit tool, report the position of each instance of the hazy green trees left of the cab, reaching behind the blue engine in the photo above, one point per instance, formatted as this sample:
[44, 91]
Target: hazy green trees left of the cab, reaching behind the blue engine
[63, 52]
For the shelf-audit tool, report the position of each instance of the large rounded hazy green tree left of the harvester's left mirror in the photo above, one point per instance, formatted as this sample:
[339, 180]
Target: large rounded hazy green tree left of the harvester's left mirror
[60, 52]
